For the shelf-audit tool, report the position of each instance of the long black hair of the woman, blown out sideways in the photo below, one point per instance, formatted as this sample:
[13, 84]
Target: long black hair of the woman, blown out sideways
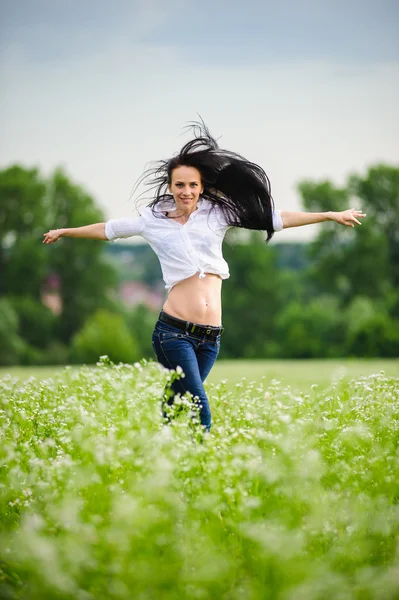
[239, 187]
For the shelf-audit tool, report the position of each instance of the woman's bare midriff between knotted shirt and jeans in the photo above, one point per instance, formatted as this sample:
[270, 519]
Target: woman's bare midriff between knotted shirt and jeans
[198, 300]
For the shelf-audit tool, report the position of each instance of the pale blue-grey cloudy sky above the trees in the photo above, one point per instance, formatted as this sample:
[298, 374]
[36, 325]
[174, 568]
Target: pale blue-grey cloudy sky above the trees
[307, 89]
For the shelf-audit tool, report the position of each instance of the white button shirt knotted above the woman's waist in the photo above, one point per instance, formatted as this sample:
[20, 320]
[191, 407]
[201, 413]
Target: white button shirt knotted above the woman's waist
[182, 250]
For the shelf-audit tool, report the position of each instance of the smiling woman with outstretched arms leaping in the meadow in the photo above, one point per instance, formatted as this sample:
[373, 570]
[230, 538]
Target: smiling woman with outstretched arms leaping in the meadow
[199, 194]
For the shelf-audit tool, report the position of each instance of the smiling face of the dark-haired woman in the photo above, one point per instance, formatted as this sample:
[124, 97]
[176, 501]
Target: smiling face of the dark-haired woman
[186, 187]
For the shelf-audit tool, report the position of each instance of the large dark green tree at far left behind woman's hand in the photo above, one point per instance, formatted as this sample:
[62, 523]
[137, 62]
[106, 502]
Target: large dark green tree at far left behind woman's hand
[29, 206]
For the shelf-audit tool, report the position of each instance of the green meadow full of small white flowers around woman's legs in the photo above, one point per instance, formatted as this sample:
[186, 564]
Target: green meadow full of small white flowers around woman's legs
[293, 495]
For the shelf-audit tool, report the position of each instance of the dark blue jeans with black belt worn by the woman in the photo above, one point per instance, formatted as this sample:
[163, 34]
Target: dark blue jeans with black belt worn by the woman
[195, 354]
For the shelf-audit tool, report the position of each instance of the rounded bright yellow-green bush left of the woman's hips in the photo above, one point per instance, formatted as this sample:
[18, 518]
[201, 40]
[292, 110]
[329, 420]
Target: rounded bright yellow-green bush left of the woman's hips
[104, 333]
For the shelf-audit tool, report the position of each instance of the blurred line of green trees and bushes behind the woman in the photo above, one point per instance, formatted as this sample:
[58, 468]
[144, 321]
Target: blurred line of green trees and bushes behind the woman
[338, 296]
